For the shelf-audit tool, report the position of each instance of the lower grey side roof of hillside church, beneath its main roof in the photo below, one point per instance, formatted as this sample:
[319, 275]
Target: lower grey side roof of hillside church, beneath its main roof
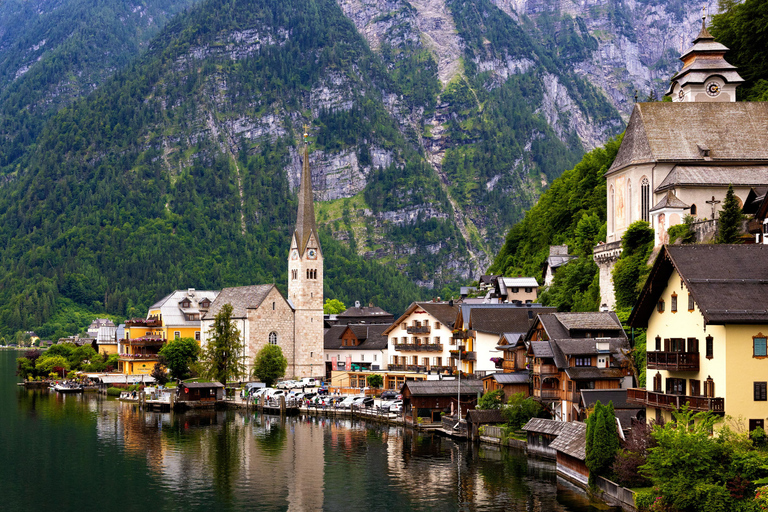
[715, 176]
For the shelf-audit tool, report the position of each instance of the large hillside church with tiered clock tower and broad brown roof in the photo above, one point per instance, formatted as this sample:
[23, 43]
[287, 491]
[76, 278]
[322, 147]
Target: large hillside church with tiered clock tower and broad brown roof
[678, 158]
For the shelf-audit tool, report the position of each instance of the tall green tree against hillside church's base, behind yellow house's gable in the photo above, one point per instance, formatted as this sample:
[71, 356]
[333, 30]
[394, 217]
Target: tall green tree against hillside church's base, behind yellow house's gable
[632, 268]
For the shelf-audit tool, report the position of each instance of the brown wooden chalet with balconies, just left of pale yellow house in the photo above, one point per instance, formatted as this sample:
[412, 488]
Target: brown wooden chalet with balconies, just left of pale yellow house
[575, 351]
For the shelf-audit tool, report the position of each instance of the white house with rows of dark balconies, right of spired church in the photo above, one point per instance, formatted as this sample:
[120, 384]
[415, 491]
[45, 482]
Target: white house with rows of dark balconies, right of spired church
[421, 339]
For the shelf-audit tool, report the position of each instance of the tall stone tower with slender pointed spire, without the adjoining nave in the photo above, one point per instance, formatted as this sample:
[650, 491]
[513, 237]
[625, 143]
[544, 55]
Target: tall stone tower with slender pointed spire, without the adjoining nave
[305, 282]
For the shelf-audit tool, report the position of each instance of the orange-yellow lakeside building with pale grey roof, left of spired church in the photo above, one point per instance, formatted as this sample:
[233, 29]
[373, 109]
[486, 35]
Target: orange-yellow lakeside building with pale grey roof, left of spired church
[176, 315]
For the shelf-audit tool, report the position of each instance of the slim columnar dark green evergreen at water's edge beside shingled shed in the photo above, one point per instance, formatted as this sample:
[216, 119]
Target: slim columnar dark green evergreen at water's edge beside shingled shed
[602, 440]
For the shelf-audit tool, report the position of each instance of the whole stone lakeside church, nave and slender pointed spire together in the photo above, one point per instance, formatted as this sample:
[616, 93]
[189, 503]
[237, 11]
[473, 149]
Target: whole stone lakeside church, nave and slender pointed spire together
[295, 324]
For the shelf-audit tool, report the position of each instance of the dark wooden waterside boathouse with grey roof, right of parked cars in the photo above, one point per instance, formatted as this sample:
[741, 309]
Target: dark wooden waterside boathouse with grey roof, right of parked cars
[427, 399]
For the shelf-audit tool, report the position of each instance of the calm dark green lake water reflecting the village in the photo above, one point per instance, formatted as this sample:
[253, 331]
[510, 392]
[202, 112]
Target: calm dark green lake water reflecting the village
[90, 452]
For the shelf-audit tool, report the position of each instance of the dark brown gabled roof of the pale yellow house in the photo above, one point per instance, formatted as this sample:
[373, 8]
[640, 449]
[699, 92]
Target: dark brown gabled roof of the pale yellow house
[729, 283]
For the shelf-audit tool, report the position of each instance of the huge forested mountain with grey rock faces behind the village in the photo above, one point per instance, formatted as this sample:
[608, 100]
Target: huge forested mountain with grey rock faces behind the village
[435, 124]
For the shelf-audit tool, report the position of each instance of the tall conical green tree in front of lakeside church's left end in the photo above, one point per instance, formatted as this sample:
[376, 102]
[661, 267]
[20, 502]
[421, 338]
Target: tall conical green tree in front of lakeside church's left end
[222, 356]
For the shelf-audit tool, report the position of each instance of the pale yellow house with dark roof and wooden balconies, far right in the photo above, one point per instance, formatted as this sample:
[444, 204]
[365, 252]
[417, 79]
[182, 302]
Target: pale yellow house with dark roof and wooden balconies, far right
[706, 311]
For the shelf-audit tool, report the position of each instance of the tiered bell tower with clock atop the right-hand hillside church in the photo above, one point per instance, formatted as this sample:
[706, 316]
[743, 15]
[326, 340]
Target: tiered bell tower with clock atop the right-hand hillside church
[706, 75]
